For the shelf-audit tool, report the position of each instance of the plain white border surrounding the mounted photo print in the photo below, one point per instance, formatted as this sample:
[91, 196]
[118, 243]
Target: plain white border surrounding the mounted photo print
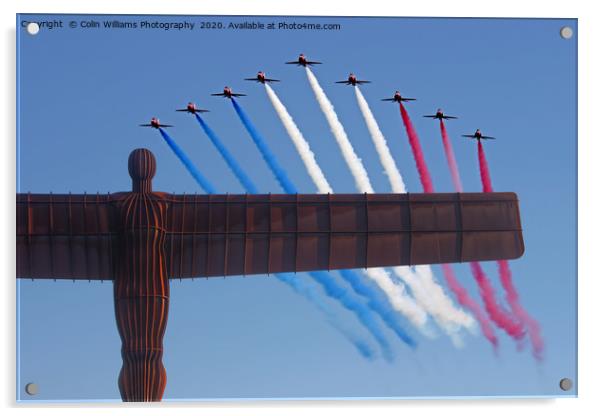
[590, 201]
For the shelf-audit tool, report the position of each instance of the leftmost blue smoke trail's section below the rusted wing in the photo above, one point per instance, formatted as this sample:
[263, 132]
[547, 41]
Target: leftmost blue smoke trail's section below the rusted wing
[304, 290]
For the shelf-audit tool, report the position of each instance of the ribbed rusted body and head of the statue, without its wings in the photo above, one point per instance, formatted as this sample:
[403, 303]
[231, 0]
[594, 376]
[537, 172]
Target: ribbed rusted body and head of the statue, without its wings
[141, 286]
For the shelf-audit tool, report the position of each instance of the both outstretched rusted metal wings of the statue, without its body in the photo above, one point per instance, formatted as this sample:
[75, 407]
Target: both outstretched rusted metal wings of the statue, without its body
[73, 236]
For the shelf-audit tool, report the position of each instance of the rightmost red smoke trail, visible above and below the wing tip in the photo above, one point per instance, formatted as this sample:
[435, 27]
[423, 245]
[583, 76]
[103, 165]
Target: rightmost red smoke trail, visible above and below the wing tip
[506, 275]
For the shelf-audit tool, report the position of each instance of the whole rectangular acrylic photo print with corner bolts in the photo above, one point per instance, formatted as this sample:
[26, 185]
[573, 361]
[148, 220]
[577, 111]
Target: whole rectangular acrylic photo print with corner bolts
[89, 328]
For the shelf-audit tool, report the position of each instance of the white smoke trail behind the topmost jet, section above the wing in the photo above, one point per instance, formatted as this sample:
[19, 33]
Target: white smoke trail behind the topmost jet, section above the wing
[355, 164]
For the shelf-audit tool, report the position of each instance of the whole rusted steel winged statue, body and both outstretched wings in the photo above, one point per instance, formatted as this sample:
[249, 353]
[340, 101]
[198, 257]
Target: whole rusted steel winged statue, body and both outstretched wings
[141, 239]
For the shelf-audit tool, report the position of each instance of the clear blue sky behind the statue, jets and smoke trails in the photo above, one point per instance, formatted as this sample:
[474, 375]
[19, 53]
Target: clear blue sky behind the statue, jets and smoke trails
[82, 93]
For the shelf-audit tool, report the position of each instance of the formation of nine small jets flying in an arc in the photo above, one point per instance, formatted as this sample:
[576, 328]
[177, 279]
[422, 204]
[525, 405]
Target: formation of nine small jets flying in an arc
[303, 61]
